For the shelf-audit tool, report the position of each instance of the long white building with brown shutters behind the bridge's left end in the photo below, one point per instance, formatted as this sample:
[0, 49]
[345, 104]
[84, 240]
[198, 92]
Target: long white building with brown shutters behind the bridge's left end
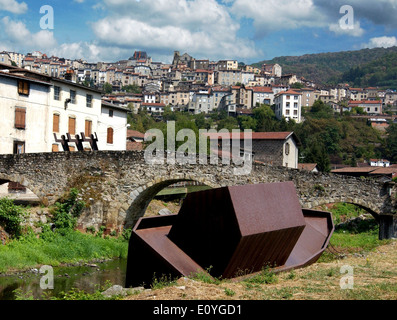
[35, 106]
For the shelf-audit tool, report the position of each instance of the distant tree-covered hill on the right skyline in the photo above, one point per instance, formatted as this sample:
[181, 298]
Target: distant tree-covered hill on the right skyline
[334, 67]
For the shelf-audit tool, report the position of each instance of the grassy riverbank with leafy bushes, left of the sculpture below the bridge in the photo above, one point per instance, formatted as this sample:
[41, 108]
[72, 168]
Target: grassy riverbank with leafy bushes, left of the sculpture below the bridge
[57, 242]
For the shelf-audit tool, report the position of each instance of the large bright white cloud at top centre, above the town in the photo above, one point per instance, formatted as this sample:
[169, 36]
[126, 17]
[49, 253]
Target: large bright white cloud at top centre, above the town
[200, 27]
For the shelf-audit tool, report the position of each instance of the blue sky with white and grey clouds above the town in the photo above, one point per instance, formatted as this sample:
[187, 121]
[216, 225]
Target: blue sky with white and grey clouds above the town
[245, 30]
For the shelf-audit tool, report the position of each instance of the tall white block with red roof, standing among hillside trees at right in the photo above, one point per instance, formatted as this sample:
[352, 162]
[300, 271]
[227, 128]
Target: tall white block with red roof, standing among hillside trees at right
[288, 105]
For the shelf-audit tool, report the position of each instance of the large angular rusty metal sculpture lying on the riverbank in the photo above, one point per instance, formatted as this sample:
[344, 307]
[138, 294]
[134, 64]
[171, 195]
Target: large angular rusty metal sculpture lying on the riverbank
[229, 231]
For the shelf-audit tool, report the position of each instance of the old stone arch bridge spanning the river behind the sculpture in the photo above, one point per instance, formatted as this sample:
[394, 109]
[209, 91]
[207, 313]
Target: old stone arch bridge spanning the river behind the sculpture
[118, 186]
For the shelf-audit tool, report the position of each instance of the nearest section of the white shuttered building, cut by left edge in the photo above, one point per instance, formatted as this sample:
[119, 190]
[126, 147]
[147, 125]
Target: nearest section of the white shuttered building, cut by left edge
[23, 113]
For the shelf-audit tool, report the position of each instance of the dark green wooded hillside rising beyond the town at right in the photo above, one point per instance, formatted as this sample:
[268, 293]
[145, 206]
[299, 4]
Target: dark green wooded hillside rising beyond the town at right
[329, 68]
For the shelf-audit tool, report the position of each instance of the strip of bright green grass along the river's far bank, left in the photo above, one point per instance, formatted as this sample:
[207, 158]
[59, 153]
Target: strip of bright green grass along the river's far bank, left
[58, 249]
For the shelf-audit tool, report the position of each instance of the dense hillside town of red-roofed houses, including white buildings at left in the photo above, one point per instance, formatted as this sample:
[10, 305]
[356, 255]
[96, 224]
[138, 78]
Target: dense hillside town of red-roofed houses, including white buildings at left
[85, 106]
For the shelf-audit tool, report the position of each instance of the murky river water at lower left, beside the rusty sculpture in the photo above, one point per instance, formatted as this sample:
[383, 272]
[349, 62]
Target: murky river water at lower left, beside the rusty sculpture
[88, 277]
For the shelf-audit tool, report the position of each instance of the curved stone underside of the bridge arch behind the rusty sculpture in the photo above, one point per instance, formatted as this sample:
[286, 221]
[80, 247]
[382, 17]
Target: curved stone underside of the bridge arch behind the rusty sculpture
[141, 197]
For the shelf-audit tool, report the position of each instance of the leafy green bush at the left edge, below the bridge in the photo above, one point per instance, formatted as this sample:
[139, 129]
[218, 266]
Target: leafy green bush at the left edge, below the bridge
[11, 217]
